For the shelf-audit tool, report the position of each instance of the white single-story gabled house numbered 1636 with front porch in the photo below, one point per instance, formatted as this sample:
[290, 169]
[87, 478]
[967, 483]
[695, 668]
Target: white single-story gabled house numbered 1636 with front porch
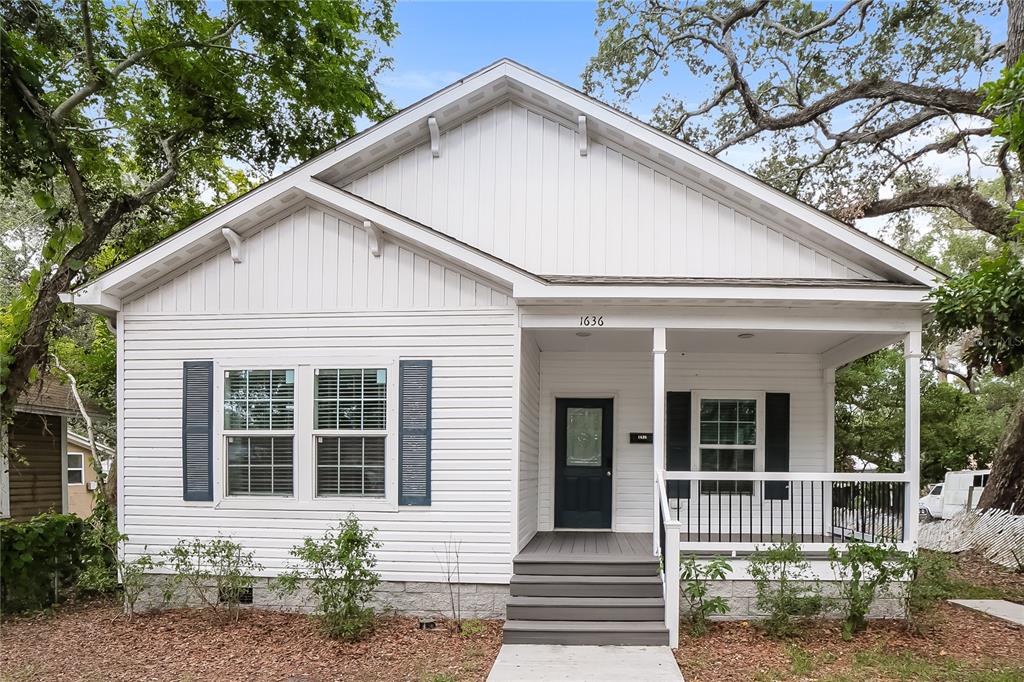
[507, 315]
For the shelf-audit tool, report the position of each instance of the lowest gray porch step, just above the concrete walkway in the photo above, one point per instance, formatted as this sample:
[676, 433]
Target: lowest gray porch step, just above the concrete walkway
[633, 633]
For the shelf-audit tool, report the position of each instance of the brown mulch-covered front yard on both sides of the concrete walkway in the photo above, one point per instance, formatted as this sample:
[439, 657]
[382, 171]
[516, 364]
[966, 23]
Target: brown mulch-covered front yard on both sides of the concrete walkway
[94, 643]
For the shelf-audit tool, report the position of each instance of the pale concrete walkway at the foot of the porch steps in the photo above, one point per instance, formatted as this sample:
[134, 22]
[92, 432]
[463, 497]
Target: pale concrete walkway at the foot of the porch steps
[549, 663]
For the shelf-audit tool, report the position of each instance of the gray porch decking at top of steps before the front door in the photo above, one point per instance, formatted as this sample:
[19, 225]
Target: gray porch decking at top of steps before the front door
[604, 546]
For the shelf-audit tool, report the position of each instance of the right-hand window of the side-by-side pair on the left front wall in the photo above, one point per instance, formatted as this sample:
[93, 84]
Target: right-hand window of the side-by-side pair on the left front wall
[351, 432]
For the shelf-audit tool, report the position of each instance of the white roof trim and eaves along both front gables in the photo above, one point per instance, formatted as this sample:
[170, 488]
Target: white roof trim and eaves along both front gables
[498, 82]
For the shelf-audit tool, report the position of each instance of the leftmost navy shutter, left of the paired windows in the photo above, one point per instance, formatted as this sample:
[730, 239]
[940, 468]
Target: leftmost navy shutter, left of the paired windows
[197, 432]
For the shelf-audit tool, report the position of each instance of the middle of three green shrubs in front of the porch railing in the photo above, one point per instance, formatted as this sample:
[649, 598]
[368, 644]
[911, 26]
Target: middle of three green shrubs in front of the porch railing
[784, 592]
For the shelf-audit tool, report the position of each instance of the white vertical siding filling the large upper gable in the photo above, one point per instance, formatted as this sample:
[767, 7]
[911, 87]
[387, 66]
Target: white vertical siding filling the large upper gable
[511, 182]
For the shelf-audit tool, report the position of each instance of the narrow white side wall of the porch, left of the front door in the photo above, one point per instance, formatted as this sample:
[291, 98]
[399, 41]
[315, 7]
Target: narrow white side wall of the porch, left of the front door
[530, 397]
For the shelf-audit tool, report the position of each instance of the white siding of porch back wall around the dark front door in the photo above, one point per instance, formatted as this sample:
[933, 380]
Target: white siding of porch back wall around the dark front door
[628, 378]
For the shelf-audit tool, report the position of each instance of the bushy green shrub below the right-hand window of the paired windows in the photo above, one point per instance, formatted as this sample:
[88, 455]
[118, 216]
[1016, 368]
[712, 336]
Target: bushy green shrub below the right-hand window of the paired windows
[339, 571]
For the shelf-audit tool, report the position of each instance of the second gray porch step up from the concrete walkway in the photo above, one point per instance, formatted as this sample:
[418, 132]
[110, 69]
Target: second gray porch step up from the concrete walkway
[586, 609]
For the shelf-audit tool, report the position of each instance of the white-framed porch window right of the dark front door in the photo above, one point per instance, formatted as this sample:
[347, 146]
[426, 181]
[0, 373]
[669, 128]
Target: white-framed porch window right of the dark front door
[729, 441]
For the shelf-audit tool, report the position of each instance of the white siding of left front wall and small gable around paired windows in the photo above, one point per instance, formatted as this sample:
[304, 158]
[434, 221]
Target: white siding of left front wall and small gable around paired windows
[307, 294]
